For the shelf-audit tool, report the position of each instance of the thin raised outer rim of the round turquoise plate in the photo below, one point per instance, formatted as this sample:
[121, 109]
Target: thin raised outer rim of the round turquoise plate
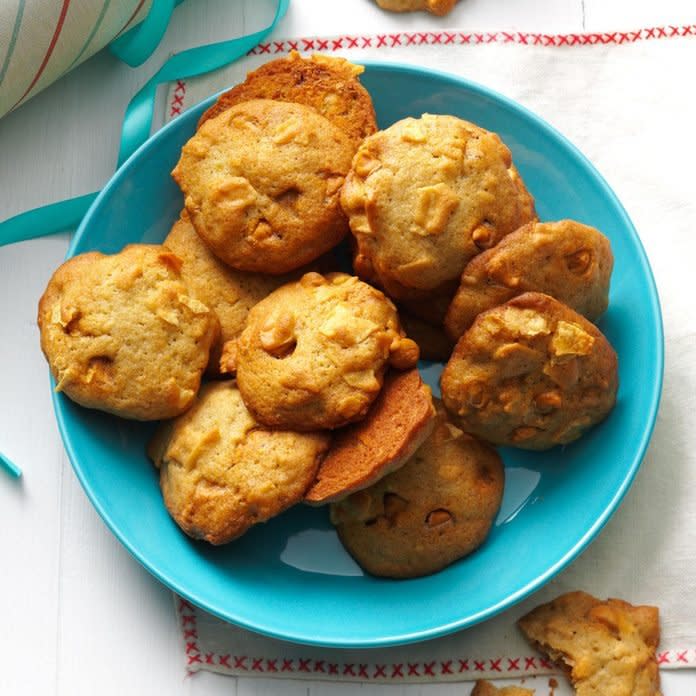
[407, 637]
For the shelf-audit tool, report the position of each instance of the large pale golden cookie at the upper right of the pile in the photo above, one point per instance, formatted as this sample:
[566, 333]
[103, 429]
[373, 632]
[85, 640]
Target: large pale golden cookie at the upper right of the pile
[425, 196]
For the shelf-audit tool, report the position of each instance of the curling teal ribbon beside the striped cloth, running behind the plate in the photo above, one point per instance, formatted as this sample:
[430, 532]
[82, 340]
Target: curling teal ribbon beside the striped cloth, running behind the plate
[137, 124]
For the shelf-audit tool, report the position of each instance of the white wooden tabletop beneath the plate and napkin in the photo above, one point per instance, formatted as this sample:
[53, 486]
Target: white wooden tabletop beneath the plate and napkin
[79, 615]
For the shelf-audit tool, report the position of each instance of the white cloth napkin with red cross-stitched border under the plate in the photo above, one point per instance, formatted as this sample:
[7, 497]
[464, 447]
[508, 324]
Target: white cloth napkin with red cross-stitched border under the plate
[624, 99]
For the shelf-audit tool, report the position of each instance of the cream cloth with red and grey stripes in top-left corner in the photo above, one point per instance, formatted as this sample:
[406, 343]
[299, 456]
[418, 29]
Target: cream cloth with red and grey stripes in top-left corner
[40, 40]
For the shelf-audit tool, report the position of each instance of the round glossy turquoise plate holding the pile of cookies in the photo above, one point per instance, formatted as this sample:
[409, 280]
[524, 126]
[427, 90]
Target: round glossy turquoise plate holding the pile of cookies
[290, 578]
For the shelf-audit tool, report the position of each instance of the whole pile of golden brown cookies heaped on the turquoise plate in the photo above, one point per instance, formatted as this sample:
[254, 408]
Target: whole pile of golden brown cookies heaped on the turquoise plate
[280, 379]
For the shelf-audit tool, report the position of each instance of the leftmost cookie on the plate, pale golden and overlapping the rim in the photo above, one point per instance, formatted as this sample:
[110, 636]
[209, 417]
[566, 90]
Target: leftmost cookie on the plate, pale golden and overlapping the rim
[123, 334]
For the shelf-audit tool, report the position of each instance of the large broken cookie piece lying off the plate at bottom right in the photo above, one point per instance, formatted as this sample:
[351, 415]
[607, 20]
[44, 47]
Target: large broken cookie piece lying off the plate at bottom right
[606, 648]
